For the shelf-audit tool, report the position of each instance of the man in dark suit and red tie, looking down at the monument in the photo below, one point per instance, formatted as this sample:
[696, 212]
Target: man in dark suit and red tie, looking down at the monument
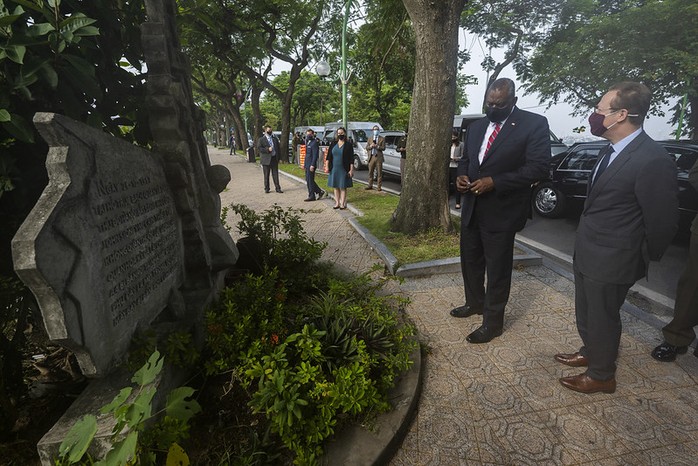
[505, 153]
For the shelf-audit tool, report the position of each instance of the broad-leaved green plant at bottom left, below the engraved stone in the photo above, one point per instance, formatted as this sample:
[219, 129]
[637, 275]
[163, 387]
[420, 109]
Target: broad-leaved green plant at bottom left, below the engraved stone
[132, 409]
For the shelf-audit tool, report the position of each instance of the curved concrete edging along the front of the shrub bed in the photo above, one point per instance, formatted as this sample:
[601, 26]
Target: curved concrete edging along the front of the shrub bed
[359, 446]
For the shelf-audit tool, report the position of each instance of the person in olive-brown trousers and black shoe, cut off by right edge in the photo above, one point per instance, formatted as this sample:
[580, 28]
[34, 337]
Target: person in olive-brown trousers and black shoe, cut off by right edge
[679, 333]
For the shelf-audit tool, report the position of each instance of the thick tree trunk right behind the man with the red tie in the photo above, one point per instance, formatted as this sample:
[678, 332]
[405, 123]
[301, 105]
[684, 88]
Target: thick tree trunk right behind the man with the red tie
[424, 200]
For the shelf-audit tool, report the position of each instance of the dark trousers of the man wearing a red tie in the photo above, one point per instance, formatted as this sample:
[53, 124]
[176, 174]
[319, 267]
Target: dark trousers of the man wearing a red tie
[492, 253]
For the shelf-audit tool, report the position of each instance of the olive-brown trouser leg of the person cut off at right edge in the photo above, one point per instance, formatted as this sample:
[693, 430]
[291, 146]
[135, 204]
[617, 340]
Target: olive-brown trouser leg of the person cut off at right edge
[679, 332]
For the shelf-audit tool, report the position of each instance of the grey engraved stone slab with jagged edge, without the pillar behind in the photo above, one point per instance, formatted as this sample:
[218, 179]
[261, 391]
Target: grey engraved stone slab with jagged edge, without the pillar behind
[102, 248]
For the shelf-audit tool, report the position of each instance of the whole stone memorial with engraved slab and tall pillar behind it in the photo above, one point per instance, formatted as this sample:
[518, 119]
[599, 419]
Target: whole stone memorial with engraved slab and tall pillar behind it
[123, 238]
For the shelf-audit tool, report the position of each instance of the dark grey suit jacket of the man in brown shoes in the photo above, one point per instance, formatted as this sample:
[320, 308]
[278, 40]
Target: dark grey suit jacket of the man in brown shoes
[630, 215]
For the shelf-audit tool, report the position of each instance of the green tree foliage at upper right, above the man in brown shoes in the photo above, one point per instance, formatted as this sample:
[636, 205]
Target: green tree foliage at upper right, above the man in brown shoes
[595, 44]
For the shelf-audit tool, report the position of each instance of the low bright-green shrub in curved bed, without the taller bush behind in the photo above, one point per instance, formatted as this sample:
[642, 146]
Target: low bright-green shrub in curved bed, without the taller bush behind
[344, 348]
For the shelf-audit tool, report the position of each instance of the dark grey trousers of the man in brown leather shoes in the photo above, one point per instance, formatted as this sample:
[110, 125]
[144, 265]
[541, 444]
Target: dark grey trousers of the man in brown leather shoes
[597, 310]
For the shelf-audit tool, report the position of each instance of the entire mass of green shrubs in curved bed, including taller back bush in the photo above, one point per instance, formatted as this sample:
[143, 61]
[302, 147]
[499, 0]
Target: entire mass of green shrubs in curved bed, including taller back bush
[313, 348]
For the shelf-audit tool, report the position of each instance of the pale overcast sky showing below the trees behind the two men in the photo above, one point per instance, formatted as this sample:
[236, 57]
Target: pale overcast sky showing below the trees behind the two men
[559, 119]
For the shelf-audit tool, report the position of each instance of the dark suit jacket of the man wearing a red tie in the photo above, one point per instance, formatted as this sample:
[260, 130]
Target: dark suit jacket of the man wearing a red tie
[518, 157]
